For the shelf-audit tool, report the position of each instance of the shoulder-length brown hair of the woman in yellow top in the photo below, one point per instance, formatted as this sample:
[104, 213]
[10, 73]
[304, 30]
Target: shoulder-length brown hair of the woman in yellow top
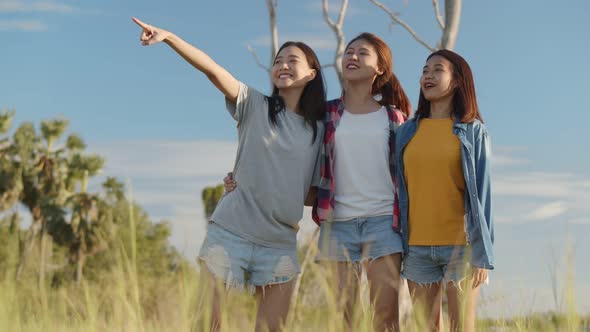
[464, 102]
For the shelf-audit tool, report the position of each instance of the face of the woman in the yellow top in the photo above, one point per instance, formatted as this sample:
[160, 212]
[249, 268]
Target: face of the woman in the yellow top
[436, 81]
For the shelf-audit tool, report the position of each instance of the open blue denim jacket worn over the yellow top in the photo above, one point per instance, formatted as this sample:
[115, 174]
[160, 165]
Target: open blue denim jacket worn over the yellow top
[475, 157]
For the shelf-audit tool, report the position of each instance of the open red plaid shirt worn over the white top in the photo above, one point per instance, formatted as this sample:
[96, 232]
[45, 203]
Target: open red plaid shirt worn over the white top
[324, 205]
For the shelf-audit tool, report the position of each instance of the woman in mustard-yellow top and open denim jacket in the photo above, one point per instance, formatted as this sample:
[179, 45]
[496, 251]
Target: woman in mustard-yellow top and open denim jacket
[443, 170]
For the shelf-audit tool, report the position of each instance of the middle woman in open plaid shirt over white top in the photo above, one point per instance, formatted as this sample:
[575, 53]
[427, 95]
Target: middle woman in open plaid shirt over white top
[356, 204]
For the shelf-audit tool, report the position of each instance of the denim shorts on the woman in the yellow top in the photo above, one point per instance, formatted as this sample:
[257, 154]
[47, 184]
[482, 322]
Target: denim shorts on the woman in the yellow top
[433, 264]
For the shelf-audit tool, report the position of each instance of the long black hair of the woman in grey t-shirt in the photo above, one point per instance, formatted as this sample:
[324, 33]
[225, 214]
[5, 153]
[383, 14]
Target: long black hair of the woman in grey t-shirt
[312, 103]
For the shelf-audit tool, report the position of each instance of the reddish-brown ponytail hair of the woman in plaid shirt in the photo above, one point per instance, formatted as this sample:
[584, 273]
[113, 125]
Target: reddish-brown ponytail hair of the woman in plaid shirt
[387, 85]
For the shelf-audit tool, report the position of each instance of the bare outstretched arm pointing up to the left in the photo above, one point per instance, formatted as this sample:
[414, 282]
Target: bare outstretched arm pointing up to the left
[220, 77]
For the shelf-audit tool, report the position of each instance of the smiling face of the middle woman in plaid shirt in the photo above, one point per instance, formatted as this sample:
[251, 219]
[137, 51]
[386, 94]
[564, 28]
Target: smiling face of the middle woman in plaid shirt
[360, 62]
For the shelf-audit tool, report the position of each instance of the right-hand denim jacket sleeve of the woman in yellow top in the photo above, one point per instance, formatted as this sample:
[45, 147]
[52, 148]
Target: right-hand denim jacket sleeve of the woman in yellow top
[482, 159]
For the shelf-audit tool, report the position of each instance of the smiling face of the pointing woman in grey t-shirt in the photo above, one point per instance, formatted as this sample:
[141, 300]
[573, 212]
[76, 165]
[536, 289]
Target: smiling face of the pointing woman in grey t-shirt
[291, 69]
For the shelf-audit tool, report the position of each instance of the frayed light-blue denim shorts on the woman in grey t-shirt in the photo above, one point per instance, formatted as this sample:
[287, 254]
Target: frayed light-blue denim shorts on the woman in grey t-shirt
[241, 263]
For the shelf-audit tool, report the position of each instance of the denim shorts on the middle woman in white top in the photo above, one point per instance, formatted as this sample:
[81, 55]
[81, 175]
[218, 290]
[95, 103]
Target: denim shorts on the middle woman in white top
[357, 239]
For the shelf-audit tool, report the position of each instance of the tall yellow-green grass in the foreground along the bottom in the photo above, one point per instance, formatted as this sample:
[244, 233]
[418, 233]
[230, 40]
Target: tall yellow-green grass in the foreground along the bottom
[121, 300]
